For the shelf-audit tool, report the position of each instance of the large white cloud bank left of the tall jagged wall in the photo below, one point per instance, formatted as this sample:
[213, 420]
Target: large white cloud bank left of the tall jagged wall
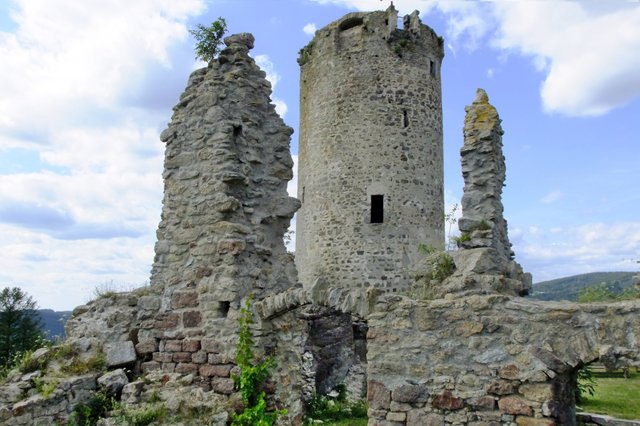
[74, 77]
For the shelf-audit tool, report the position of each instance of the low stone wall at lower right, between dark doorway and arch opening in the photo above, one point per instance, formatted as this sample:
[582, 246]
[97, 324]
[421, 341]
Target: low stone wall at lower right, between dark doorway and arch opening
[488, 359]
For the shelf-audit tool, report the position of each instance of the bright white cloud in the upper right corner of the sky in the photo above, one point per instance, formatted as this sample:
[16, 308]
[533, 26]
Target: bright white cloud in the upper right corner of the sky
[584, 48]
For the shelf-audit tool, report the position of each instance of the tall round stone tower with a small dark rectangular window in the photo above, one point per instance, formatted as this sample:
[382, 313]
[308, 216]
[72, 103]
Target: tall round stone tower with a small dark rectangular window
[370, 151]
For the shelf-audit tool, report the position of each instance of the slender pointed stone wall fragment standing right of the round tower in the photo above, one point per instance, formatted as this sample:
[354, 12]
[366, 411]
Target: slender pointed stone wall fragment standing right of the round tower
[486, 258]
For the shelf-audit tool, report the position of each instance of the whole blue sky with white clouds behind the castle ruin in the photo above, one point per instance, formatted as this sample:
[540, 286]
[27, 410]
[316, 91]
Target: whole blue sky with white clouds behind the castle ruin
[88, 86]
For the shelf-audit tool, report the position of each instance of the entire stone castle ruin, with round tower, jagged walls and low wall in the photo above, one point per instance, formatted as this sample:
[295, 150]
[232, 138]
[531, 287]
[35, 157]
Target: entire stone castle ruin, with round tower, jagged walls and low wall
[473, 353]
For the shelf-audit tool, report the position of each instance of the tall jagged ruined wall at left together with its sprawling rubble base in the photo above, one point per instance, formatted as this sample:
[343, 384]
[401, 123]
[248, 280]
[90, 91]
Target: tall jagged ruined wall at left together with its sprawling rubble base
[220, 239]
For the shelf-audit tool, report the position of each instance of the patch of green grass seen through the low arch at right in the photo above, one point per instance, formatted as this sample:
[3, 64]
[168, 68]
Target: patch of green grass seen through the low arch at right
[615, 395]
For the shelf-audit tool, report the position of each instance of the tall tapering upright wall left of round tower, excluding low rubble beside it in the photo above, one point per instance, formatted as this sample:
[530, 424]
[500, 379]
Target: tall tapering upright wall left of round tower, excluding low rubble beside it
[225, 210]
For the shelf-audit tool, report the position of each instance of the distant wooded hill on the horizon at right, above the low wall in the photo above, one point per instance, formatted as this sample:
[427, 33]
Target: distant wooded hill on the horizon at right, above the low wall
[568, 288]
